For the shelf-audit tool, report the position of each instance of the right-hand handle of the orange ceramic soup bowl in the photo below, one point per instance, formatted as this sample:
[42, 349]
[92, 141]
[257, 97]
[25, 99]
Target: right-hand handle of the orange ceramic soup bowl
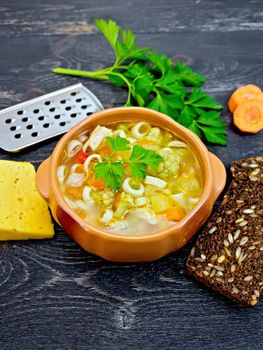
[219, 175]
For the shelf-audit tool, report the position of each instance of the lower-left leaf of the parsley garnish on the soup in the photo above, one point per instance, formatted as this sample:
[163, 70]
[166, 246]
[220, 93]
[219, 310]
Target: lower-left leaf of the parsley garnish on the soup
[111, 173]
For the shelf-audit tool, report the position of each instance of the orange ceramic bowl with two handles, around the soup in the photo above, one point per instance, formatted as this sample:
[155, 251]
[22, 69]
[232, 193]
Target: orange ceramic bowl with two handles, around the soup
[123, 248]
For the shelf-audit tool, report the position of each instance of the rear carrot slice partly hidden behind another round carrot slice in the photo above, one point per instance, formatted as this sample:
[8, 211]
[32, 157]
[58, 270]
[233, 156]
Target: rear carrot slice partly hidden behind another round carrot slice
[243, 94]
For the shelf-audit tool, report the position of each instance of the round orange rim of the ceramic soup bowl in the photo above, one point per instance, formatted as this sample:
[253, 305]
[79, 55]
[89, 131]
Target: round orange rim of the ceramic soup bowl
[173, 126]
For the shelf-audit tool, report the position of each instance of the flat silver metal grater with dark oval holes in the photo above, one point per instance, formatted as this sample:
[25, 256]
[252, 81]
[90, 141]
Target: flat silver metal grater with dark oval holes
[41, 118]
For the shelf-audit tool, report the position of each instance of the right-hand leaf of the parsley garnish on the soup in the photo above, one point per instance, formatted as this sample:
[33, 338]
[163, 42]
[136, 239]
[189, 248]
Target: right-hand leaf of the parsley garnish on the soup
[140, 158]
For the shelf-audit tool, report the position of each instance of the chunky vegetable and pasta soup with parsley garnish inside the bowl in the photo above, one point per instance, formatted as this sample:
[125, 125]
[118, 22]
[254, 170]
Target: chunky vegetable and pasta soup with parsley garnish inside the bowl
[130, 178]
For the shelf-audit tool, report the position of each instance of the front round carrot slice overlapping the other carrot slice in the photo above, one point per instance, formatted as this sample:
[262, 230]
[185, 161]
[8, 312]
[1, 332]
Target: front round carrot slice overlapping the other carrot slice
[248, 117]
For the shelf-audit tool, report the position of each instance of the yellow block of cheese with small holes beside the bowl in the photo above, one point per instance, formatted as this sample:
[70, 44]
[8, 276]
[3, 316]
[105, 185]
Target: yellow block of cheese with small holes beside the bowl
[23, 212]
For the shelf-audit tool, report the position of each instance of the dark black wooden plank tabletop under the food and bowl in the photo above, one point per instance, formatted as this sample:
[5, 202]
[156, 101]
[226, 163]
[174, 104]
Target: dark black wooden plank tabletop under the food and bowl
[53, 295]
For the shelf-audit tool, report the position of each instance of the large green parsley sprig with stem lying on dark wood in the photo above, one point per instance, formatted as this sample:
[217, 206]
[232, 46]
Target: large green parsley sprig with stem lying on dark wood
[155, 82]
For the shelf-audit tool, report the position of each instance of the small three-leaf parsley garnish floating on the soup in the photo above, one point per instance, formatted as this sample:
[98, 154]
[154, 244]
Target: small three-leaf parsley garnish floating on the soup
[112, 171]
